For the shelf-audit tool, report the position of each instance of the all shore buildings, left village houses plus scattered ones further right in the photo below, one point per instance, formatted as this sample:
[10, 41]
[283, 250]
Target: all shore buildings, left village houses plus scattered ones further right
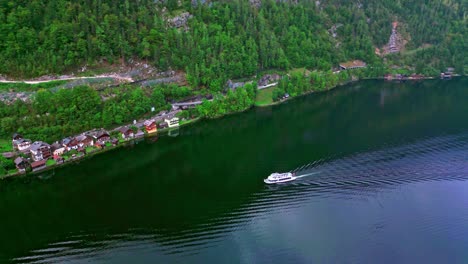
[33, 156]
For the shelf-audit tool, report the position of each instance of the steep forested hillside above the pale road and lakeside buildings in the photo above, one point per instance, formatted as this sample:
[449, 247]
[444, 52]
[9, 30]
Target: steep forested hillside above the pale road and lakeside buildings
[227, 39]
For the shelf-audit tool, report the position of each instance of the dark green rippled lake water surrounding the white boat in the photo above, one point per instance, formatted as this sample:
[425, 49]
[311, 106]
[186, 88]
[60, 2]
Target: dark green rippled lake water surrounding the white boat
[385, 180]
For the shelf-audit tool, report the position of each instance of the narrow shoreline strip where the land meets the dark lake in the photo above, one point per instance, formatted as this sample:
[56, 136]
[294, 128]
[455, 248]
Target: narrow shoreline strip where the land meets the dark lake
[188, 122]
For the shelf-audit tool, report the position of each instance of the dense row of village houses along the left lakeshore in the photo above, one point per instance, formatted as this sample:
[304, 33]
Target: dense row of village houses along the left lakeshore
[35, 156]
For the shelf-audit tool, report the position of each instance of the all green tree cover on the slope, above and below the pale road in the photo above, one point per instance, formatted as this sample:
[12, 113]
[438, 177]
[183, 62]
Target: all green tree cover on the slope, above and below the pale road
[211, 42]
